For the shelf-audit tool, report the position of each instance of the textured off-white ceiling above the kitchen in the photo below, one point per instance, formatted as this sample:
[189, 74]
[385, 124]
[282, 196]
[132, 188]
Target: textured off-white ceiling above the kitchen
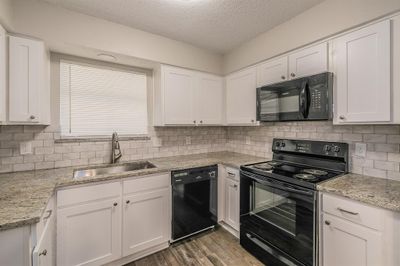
[217, 25]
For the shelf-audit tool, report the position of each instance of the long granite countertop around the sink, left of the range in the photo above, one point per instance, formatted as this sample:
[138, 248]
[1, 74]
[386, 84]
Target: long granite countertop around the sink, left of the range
[24, 195]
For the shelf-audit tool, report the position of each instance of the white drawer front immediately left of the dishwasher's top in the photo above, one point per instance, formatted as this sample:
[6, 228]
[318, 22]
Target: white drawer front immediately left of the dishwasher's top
[148, 182]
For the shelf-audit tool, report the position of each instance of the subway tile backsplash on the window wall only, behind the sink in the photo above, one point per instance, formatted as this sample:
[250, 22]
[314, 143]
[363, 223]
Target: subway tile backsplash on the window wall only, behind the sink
[48, 153]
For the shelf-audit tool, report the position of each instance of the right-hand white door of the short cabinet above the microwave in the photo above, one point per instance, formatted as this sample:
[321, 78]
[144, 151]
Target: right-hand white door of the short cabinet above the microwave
[309, 61]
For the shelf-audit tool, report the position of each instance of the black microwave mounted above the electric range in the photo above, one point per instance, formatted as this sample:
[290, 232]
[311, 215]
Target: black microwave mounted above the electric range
[307, 98]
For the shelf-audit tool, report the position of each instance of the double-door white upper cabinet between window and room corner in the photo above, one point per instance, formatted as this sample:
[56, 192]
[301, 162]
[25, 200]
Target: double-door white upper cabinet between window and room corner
[186, 97]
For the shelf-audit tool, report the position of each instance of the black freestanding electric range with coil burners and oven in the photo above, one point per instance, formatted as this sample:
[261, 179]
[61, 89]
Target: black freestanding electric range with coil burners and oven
[278, 200]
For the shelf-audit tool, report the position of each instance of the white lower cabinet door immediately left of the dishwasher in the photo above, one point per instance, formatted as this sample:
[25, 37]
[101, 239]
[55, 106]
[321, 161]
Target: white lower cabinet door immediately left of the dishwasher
[146, 220]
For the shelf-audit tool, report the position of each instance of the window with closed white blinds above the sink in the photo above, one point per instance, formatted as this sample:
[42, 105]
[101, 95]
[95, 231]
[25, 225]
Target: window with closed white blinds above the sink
[96, 101]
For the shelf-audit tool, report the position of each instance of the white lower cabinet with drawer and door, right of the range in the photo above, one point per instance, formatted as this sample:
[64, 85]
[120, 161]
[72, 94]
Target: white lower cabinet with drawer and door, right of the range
[356, 234]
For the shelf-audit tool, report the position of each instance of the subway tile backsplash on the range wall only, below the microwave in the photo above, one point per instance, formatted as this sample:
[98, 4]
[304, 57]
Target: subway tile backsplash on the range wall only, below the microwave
[382, 158]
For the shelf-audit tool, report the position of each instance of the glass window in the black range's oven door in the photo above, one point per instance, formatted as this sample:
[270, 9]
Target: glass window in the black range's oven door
[275, 208]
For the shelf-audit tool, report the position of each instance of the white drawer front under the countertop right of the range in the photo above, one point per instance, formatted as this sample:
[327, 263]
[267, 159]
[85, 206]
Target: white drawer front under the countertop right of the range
[353, 211]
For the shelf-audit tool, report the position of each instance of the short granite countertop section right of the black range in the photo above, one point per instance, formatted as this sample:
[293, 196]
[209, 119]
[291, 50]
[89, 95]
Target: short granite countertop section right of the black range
[380, 192]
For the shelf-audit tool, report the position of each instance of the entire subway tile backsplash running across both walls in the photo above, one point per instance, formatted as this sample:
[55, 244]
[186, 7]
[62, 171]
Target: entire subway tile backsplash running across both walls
[382, 158]
